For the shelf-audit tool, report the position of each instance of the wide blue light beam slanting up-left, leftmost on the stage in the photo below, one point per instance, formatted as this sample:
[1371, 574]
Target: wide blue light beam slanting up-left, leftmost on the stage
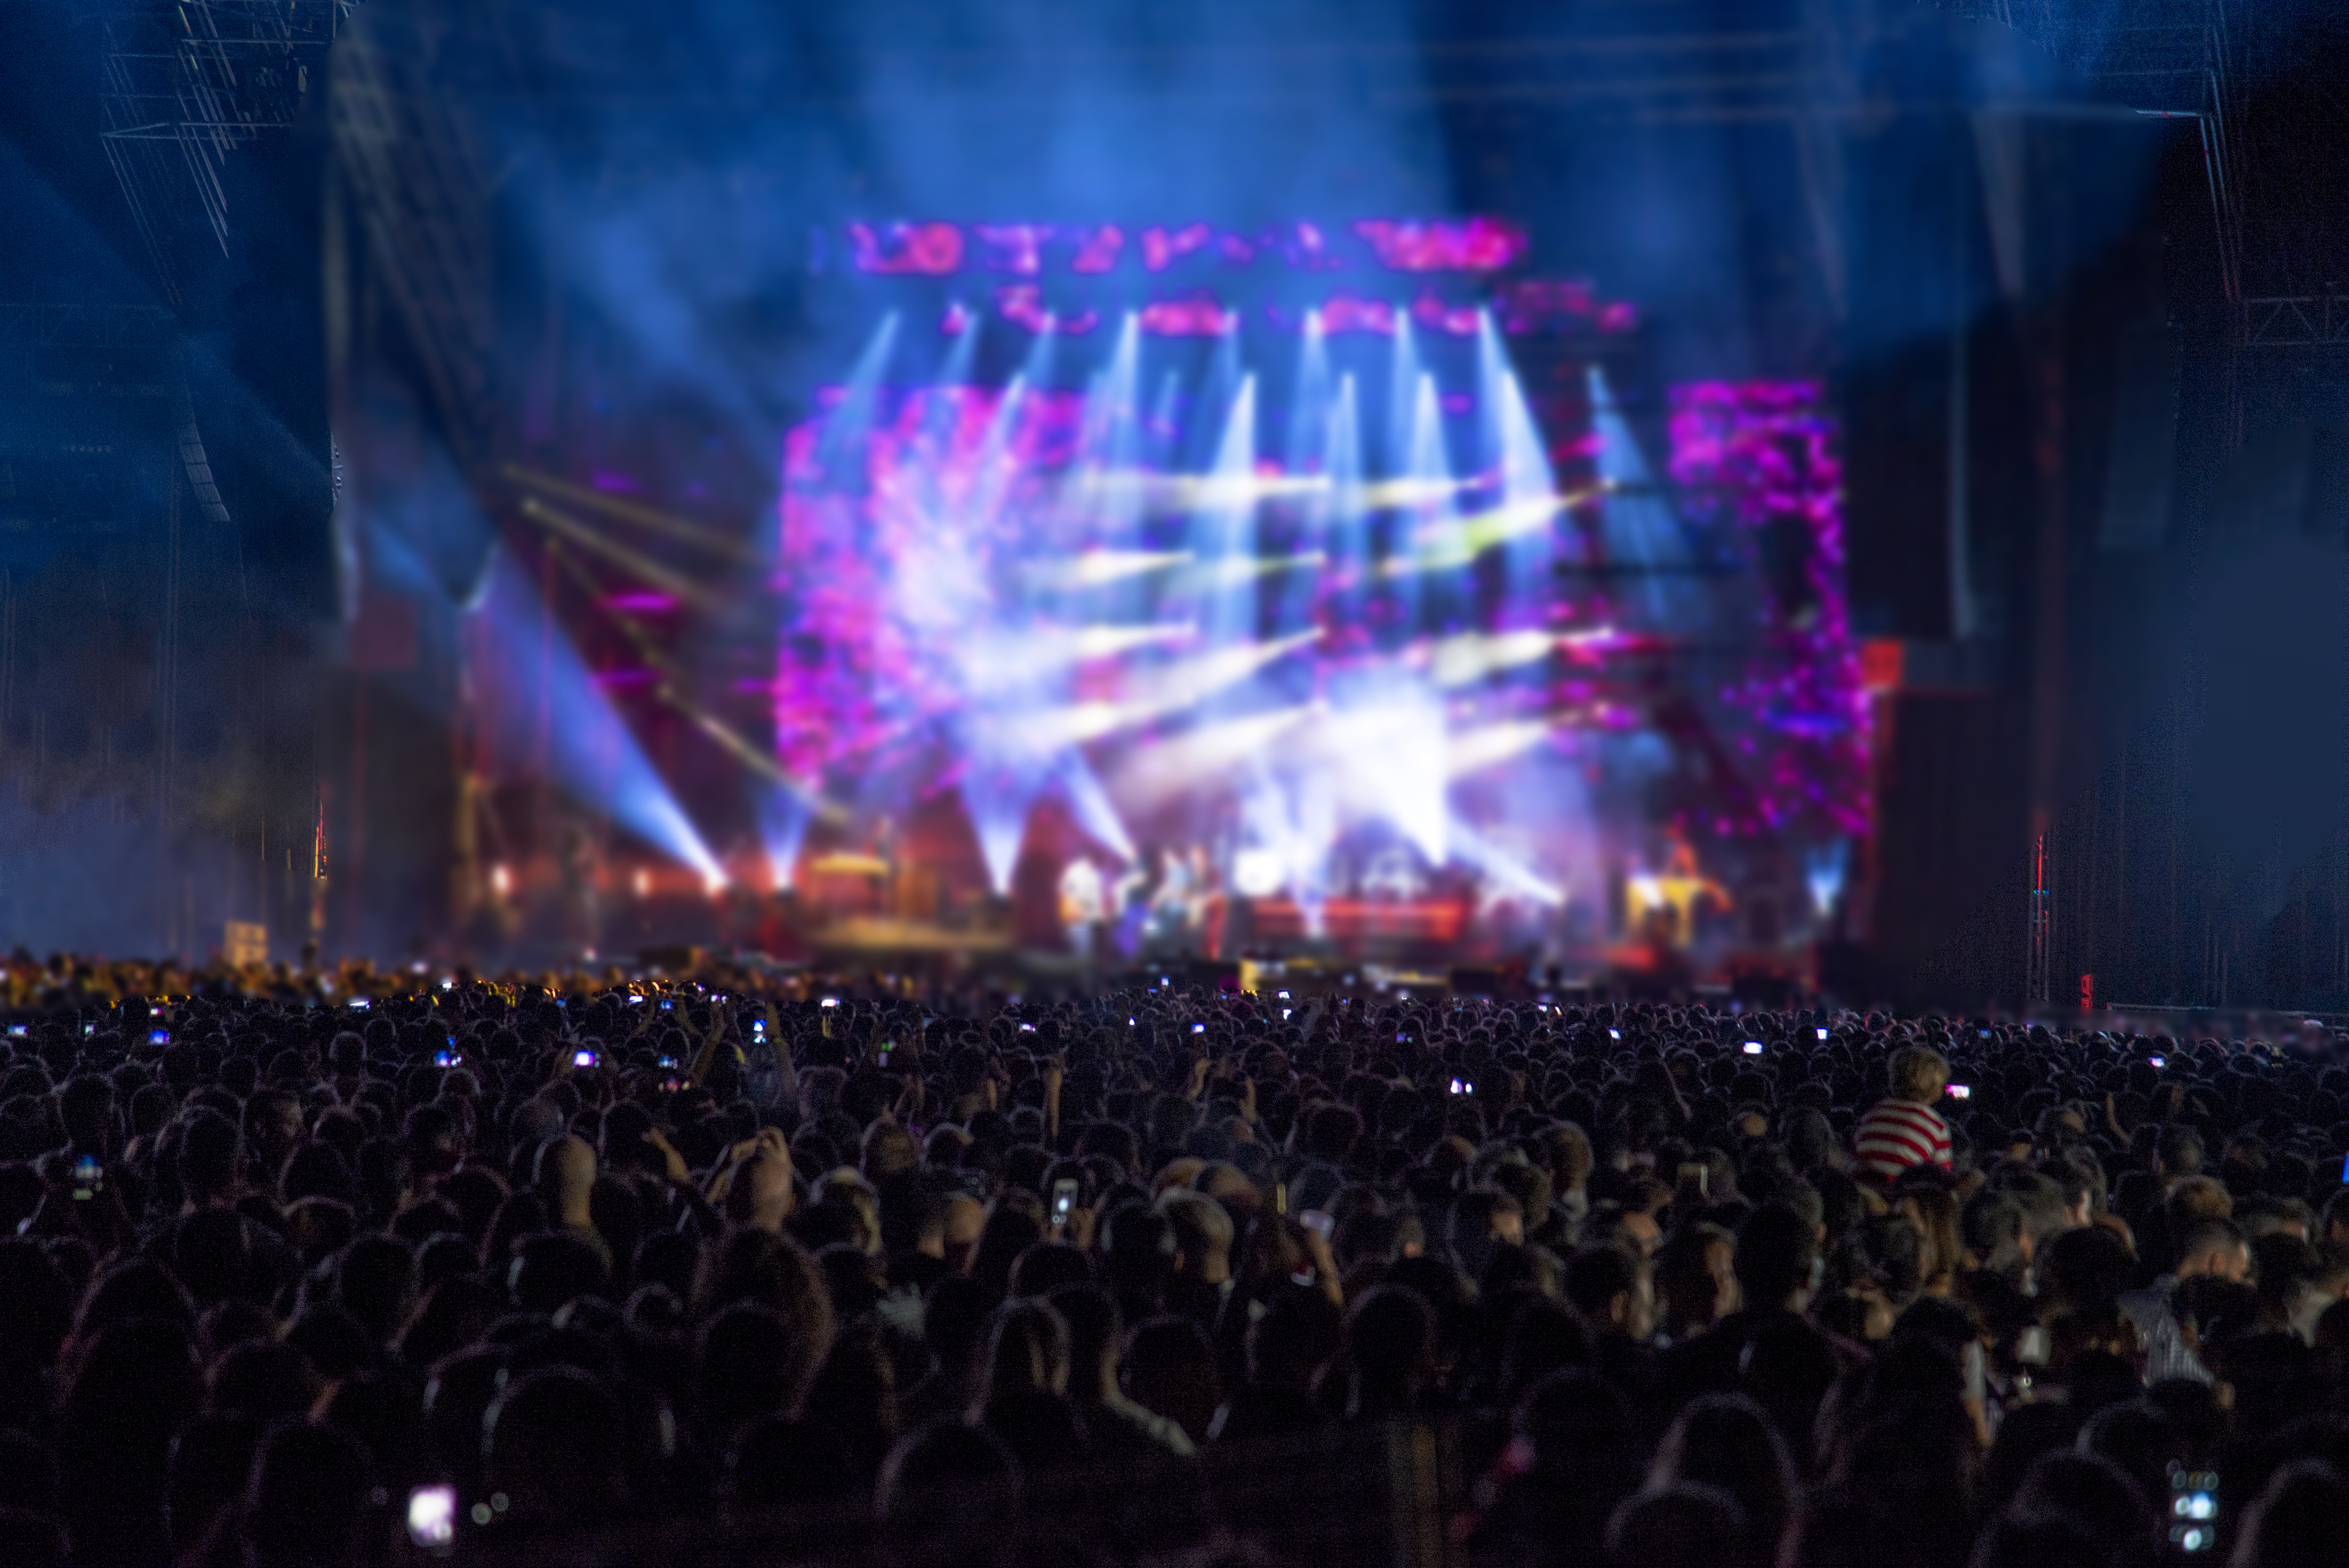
[591, 752]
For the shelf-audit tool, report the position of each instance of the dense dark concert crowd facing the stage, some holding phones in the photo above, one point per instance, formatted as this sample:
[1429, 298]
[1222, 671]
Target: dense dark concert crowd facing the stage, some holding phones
[920, 1276]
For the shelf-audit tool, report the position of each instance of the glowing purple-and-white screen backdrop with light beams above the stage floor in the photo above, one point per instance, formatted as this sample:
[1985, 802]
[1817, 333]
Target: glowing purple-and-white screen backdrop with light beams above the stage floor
[1197, 611]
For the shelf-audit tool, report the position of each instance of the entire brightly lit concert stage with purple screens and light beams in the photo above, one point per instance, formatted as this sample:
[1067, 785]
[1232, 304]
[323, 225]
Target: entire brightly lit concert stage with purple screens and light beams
[1335, 590]
